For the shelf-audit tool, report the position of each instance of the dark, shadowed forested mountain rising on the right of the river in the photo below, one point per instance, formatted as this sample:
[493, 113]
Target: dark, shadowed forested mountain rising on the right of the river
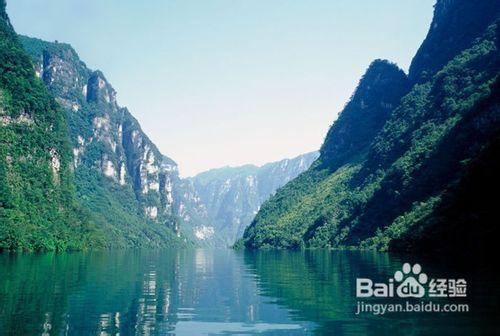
[410, 162]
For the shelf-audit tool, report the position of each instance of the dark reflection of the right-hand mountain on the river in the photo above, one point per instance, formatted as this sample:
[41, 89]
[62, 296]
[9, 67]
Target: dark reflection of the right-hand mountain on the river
[320, 285]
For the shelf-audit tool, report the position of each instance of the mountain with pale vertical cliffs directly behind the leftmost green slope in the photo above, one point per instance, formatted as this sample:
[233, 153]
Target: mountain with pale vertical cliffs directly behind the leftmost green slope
[121, 176]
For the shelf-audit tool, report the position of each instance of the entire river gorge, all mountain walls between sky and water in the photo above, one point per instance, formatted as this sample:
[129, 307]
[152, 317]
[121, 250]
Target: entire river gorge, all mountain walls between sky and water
[408, 155]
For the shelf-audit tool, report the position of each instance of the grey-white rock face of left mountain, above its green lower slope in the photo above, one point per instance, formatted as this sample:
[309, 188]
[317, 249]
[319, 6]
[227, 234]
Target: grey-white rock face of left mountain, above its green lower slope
[106, 138]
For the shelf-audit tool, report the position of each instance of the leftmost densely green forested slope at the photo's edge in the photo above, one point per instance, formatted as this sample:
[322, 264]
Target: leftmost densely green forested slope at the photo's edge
[38, 206]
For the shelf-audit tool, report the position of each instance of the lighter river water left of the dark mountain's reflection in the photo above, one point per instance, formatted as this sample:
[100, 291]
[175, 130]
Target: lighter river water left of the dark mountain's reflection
[185, 292]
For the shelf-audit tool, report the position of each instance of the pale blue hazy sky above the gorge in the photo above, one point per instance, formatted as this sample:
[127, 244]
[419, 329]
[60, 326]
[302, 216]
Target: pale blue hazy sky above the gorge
[229, 82]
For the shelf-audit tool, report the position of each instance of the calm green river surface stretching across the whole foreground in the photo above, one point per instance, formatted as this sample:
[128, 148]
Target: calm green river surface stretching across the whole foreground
[210, 292]
